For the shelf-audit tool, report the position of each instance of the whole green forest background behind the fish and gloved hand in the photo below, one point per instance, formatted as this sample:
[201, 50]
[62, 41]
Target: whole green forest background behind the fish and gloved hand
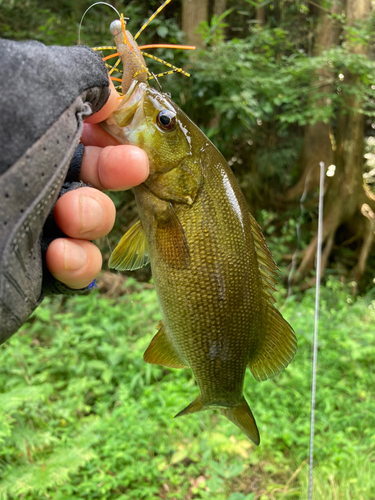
[278, 86]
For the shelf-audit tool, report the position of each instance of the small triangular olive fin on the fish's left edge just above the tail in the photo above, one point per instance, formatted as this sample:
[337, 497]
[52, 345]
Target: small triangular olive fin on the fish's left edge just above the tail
[161, 351]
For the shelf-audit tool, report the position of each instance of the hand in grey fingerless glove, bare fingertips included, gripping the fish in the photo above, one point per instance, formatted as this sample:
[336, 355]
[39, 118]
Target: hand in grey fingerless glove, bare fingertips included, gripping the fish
[42, 109]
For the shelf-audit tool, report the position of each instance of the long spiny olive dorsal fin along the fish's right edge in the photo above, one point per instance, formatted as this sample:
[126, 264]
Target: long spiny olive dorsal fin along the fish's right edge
[279, 343]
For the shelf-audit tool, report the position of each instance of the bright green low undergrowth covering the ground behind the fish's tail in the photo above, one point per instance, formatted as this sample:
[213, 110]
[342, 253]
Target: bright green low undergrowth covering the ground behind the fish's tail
[83, 417]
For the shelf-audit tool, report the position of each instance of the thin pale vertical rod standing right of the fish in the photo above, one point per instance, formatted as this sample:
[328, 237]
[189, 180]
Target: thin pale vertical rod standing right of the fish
[316, 320]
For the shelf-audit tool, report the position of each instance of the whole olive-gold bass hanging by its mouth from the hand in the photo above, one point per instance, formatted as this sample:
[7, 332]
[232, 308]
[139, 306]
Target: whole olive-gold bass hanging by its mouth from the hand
[213, 272]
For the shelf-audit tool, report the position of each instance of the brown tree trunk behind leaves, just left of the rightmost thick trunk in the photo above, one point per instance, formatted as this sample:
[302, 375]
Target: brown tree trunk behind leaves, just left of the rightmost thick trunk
[318, 144]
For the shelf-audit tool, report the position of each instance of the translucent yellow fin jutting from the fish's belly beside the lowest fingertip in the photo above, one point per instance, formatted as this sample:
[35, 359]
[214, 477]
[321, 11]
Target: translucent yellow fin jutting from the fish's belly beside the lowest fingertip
[132, 250]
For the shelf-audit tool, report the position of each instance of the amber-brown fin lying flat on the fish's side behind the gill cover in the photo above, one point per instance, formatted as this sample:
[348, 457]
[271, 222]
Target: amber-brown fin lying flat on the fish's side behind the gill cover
[171, 239]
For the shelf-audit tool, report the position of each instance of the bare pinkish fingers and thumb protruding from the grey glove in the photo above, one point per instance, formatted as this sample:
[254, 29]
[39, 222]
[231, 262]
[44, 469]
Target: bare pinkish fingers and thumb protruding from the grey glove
[86, 213]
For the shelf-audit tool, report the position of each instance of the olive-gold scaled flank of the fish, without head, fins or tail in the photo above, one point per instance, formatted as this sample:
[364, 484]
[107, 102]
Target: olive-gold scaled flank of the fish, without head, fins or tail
[211, 305]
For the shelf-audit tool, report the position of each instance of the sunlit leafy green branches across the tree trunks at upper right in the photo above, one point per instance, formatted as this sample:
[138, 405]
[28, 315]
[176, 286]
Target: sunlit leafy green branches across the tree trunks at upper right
[262, 78]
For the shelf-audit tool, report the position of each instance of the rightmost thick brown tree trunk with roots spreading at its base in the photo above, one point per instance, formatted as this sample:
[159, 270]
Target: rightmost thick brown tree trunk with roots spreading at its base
[346, 201]
